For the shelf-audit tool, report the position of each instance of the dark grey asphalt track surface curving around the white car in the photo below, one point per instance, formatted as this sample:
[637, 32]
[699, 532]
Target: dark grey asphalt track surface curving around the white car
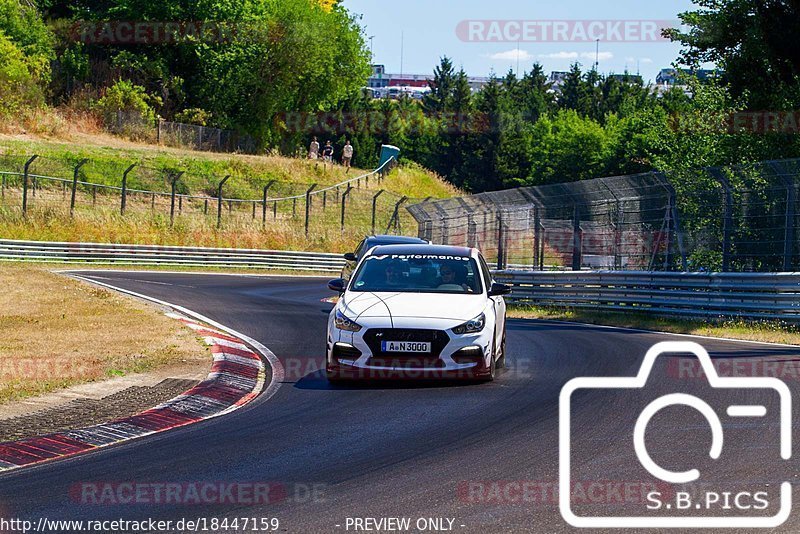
[413, 450]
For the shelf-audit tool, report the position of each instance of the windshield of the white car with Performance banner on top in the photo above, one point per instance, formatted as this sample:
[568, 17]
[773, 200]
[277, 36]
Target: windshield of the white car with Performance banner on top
[418, 273]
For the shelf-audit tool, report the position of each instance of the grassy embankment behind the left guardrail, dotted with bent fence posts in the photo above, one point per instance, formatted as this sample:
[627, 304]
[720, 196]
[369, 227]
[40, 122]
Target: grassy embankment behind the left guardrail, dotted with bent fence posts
[97, 218]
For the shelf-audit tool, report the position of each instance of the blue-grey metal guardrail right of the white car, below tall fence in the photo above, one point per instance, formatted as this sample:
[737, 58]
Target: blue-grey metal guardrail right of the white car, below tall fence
[745, 295]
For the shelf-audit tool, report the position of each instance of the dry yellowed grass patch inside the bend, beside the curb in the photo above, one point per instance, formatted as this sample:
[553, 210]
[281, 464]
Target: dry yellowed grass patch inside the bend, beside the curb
[56, 332]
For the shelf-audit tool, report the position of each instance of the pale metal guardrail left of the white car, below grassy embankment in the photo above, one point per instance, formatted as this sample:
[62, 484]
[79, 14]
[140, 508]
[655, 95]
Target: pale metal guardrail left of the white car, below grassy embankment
[149, 255]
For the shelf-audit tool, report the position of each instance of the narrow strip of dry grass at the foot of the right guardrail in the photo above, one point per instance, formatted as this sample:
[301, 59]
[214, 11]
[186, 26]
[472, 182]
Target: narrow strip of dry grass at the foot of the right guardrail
[766, 332]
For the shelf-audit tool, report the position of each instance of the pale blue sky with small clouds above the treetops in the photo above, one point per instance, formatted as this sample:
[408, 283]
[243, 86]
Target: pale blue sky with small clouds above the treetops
[468, 31]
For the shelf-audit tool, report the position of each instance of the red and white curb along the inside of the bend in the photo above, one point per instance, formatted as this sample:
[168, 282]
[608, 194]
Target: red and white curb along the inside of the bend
[238, 375]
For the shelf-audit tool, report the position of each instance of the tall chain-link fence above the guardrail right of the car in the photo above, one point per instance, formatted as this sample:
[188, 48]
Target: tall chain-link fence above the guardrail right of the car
[742, 218]
